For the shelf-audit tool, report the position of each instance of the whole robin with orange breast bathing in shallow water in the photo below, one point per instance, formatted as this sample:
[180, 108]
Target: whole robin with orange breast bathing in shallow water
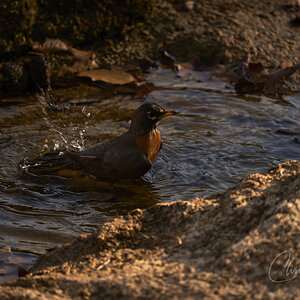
[127, 156]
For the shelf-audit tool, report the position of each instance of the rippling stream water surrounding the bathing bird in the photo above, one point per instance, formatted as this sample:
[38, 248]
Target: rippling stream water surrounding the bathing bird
[217, 139]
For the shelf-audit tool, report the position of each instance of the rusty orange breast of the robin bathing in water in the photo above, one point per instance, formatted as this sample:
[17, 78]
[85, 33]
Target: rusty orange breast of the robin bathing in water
[150, 144]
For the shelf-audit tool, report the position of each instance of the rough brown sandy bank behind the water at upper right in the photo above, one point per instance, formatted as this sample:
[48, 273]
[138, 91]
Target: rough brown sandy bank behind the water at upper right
[236, 29]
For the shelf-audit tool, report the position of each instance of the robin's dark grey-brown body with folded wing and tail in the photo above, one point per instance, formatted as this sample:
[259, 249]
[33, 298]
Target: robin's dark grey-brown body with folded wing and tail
[115, 159]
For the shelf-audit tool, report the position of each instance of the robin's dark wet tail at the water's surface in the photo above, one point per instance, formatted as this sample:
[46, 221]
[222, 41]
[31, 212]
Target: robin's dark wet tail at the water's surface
[47, 164]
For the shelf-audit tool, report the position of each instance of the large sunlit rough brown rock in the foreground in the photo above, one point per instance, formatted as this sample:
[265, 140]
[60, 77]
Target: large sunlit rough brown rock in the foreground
[230, 245]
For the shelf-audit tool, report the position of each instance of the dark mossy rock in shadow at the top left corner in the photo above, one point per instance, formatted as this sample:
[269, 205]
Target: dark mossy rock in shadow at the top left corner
[79, 22]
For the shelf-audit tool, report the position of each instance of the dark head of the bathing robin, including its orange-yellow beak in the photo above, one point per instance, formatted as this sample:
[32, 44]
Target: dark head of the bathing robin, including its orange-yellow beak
[147, 115]
